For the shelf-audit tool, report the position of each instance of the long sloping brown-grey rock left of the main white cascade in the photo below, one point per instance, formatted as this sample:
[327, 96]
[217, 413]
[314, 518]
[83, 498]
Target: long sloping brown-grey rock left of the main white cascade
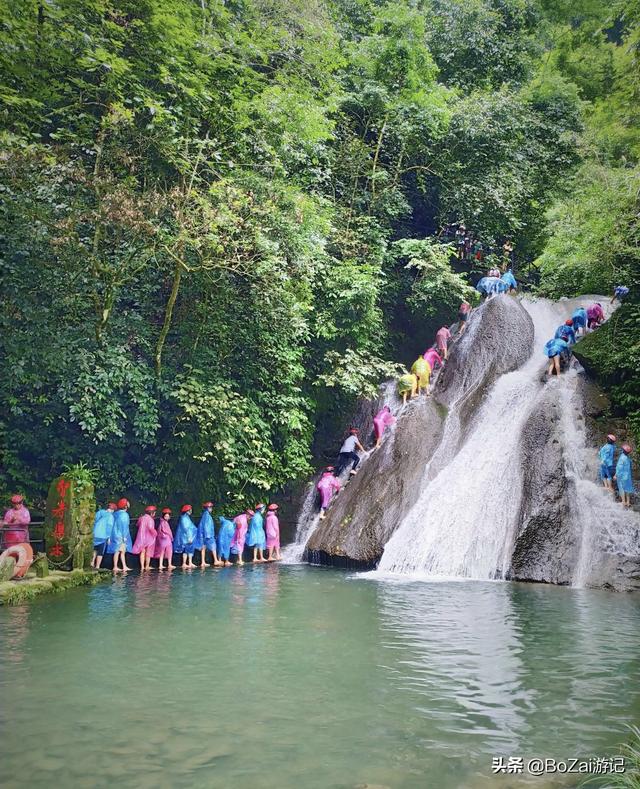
[365, 514]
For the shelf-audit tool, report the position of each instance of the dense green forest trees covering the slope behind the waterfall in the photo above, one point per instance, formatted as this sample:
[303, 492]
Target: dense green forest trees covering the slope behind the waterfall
[216, 215]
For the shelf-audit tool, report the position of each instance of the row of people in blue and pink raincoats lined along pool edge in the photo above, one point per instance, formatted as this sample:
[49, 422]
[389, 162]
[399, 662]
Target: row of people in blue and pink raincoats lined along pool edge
[155, 539]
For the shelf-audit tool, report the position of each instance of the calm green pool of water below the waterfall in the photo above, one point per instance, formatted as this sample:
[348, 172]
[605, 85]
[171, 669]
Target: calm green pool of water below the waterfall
[288, 676]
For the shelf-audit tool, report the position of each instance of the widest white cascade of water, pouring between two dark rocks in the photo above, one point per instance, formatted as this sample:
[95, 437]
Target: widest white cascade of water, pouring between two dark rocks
[463, 523]
